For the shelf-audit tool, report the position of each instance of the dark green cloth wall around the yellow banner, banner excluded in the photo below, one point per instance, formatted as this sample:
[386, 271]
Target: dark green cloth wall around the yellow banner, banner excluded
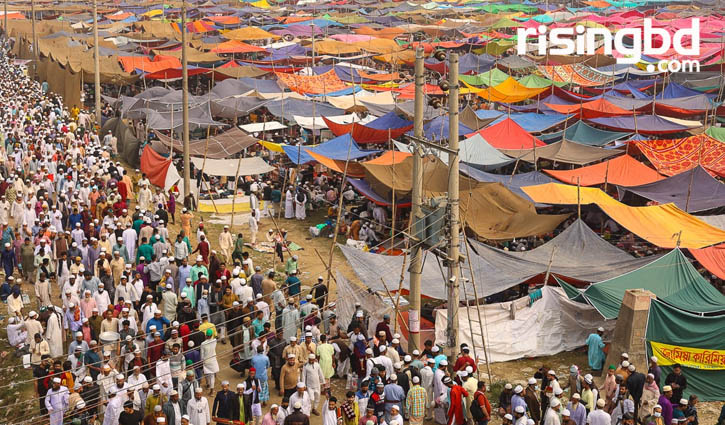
[669, 325]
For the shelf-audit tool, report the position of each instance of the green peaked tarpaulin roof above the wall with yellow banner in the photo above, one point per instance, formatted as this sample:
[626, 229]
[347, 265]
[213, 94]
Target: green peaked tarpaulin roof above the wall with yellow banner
[672, 278]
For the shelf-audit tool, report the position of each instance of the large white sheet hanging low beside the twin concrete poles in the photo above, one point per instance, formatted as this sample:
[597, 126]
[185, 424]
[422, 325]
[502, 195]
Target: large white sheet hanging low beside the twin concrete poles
[551, 325]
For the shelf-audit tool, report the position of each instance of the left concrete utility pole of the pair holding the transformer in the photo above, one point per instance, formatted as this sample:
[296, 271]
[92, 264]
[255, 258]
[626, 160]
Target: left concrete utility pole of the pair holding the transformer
[416, 261]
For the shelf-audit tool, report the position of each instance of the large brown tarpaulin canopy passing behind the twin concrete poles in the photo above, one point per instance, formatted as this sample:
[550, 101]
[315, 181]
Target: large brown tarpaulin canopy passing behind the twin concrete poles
[490, 210]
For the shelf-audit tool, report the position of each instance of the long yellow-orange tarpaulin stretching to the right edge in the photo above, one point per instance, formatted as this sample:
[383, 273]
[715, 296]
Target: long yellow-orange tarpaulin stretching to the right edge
[661, 225]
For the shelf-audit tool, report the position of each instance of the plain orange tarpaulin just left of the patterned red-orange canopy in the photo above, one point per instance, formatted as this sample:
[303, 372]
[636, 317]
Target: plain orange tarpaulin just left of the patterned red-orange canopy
[623, 171]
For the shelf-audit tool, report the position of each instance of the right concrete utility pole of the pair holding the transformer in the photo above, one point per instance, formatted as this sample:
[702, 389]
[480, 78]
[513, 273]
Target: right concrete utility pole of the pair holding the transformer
[454, 270]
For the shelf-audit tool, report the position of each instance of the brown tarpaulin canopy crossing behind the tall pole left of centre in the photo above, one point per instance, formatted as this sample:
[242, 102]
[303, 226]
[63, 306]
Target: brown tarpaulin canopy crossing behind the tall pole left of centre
[220, 146]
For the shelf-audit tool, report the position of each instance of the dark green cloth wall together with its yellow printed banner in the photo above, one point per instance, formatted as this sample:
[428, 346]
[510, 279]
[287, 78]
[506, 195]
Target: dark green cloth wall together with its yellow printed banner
[686, 332]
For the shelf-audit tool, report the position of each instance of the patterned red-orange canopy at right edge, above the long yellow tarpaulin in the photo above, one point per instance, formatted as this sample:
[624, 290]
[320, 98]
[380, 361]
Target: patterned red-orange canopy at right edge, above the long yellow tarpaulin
[673, 156]
